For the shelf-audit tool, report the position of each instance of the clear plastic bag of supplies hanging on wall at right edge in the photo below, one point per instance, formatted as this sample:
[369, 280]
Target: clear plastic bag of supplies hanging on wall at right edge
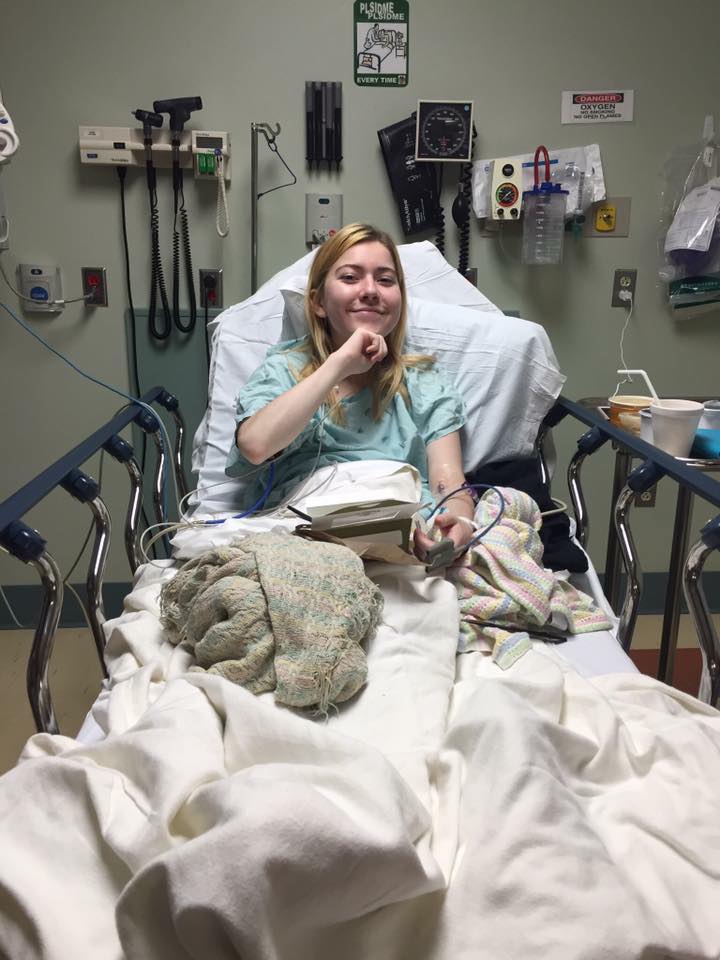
[689, 236]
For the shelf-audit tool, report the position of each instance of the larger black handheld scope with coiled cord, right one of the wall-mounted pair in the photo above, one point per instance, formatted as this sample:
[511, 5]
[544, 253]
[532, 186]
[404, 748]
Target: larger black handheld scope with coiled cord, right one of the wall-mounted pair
[179, 111]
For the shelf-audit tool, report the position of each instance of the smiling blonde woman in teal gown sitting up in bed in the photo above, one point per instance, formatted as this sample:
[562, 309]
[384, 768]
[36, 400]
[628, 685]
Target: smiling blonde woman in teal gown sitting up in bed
[347, 392]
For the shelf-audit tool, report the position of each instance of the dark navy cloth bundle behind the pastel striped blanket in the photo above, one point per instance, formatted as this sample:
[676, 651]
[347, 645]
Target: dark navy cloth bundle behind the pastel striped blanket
[560, 552]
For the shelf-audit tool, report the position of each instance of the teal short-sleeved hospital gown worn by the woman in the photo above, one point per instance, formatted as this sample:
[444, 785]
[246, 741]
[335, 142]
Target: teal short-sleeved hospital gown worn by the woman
[401, 434]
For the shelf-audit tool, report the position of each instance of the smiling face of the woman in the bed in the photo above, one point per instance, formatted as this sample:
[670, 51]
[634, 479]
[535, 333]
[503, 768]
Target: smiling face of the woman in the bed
[361, 291]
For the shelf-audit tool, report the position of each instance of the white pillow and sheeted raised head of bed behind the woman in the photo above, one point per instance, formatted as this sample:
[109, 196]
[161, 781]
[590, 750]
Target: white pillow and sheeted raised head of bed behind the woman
[504, 368]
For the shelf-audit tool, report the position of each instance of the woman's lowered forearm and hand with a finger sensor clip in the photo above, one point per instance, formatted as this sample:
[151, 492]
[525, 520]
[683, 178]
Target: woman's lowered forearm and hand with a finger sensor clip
[445, 474]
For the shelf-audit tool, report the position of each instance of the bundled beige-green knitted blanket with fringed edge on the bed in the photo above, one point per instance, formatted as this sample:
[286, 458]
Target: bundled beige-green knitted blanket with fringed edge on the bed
[275, 612]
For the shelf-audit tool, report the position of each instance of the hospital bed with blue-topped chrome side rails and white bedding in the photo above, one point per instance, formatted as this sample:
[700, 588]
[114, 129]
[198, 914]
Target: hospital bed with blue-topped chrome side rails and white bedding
[566, 806]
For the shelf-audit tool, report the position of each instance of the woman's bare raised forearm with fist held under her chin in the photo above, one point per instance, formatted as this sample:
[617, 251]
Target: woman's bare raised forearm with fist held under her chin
[271, 429]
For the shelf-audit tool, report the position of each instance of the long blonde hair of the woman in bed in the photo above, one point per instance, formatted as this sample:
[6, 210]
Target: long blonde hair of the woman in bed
[388, 377]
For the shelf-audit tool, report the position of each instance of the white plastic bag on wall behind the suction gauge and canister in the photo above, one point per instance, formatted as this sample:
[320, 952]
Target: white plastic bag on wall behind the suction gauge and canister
[578, 169]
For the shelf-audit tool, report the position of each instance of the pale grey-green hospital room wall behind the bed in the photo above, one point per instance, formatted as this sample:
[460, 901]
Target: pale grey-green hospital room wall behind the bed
[63, 64]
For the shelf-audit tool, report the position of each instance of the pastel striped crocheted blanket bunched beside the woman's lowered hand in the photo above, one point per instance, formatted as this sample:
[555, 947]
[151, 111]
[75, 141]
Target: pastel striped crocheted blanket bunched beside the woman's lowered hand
[503, 580]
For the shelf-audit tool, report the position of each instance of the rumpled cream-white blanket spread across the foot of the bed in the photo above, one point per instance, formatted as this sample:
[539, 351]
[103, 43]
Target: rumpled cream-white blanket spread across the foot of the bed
[438, 816]
